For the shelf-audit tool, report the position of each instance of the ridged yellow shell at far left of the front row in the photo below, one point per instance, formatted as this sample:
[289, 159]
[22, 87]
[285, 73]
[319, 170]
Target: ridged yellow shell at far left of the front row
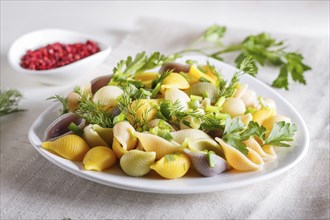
[71, 147]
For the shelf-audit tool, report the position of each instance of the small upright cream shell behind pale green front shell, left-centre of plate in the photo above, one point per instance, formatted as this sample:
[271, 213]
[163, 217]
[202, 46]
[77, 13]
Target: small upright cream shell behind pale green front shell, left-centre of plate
[124, 134]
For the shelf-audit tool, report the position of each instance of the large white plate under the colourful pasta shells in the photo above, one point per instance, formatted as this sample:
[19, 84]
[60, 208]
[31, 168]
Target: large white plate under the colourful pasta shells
[192, 182]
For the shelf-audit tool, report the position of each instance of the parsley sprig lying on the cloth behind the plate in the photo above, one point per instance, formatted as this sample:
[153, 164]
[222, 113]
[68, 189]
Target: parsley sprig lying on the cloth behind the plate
[263, 48]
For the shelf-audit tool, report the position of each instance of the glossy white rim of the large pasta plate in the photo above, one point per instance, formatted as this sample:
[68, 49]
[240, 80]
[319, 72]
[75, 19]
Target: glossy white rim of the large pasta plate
[182, 190]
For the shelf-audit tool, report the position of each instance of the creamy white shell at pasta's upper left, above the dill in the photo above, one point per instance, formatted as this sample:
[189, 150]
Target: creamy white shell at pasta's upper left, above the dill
[107, 96]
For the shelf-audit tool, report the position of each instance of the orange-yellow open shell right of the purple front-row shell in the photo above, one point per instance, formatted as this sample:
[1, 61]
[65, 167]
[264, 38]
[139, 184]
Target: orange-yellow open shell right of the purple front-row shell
[239, 161]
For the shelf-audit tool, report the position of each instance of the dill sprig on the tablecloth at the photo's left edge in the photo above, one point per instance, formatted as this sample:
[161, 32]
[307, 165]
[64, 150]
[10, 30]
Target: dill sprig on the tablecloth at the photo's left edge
[9, 100]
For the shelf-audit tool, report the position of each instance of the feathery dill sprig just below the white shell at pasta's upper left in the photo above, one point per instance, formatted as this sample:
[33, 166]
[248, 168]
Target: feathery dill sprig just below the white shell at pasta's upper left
[93, 113]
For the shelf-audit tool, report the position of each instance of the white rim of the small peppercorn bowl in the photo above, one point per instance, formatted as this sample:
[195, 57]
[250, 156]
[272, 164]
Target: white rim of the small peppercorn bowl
[104, 48]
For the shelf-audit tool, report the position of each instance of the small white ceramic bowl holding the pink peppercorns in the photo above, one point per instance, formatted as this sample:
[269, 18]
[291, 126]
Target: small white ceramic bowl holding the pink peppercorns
[61, 75]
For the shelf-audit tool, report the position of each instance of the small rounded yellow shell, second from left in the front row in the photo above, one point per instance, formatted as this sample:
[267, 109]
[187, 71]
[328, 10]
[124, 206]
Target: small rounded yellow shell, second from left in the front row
[99, 158]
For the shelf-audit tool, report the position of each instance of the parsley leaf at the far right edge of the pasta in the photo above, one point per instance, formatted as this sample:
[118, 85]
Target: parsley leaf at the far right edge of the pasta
[282, 132]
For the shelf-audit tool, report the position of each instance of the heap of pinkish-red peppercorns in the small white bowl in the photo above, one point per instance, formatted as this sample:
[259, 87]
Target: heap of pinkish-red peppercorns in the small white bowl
[57, 54]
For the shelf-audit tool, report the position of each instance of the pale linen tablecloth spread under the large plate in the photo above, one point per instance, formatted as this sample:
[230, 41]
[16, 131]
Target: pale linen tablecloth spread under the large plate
[34, 188]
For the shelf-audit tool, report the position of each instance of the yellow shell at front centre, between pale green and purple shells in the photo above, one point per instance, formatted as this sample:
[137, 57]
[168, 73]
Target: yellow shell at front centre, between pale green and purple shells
[172, 166]
